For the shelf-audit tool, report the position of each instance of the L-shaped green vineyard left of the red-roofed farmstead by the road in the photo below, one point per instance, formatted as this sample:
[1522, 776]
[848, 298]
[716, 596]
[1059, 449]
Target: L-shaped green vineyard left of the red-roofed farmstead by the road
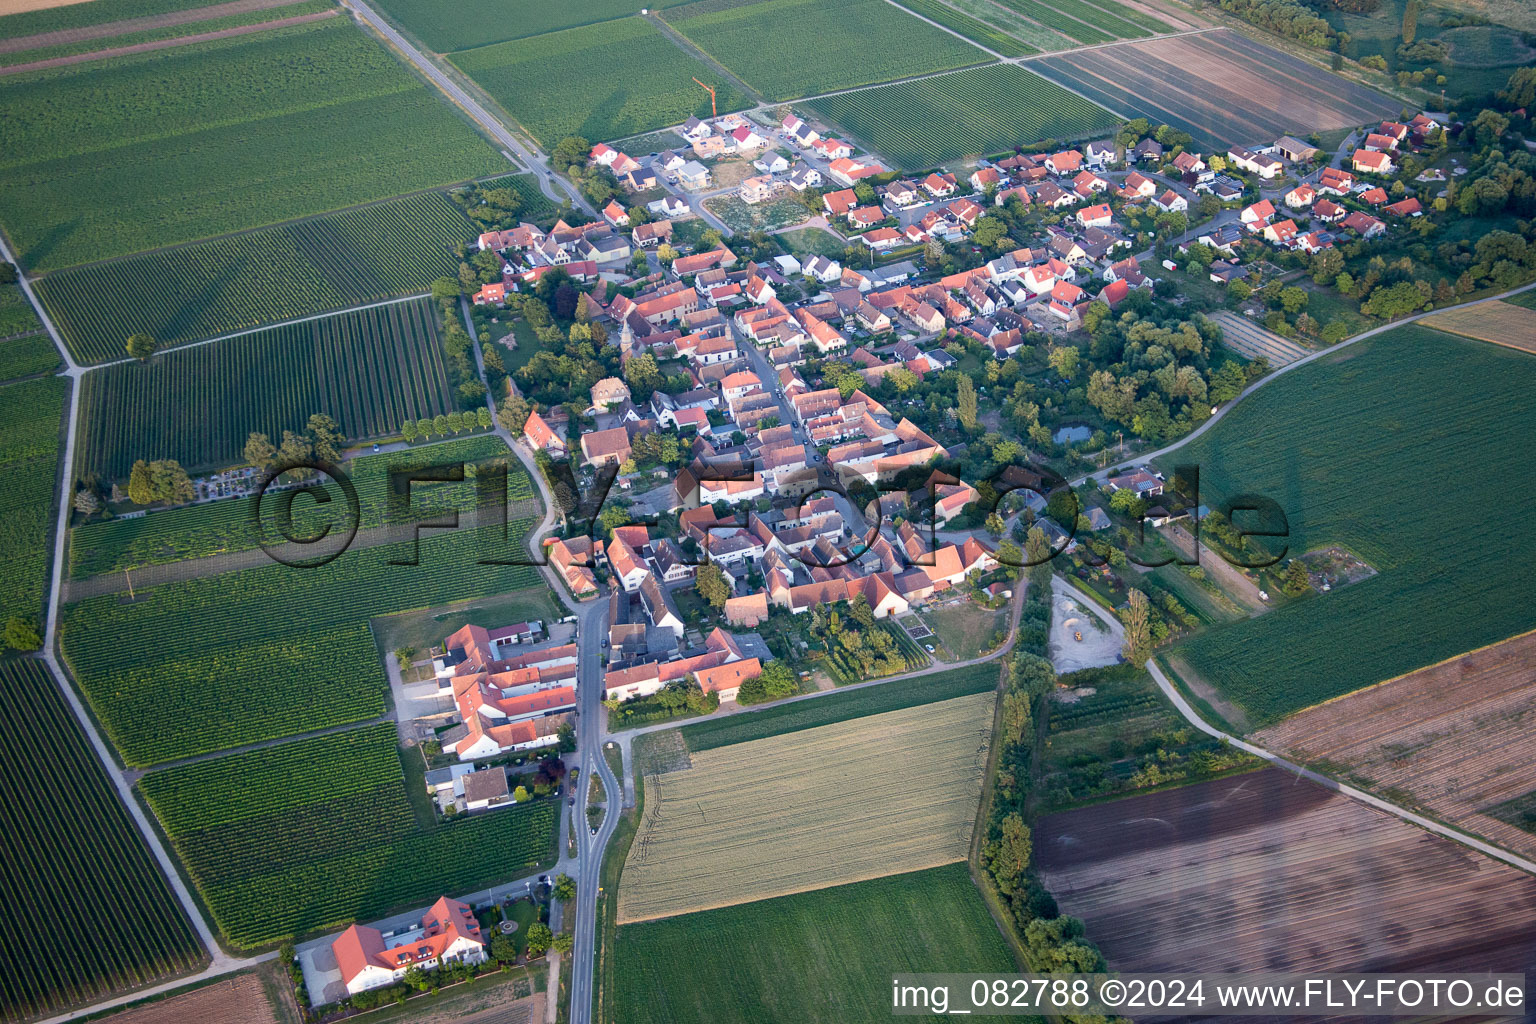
[222, 661]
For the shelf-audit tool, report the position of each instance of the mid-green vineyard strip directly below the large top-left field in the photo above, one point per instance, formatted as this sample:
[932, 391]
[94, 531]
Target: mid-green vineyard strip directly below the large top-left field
[263, 277]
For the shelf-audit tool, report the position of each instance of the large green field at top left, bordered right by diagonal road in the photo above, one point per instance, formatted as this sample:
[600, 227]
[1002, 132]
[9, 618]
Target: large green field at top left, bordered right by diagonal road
[128, 154]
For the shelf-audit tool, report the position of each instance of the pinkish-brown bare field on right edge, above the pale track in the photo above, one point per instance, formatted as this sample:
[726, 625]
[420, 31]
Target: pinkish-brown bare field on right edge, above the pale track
[1452, 741]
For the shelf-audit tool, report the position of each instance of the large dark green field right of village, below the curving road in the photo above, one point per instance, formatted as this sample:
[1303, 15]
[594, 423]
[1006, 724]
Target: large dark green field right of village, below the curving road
[1409, 451]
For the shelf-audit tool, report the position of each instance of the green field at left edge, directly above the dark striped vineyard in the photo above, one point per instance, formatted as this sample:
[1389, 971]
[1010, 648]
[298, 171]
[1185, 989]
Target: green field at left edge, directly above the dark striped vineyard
[31, 432]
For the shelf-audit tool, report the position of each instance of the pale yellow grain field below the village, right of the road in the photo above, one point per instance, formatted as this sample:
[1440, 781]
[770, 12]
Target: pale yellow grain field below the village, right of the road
[847, 802]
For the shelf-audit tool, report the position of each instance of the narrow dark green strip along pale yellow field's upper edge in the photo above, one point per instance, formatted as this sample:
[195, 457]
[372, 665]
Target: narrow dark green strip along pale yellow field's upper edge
[841, 707]
